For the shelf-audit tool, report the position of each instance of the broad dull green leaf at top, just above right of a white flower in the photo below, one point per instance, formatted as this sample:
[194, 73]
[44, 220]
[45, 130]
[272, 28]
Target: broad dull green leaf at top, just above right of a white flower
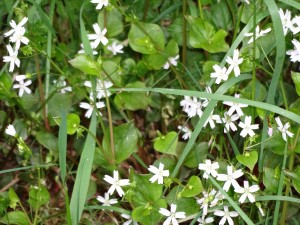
[112, 21]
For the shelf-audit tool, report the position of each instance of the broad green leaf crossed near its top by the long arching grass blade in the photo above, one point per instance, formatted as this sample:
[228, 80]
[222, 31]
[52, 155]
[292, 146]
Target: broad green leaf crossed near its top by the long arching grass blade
[132, 100]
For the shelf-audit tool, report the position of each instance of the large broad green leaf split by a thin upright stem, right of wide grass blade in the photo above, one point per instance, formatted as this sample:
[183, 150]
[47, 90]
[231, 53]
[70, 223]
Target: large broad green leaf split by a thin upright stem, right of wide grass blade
[125, 141]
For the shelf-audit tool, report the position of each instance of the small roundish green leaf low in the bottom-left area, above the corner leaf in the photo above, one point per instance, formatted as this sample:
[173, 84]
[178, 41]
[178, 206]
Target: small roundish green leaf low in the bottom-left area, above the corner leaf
[38, 196]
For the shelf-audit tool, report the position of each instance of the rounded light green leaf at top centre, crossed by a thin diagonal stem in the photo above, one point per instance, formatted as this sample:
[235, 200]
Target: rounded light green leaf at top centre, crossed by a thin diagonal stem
[146, 38]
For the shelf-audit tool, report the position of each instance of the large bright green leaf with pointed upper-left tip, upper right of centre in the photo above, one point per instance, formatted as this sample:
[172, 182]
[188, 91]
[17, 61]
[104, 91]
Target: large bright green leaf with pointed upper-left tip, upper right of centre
[202, 35]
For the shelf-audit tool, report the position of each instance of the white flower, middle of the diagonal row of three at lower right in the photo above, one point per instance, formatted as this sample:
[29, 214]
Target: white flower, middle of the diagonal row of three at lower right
[230, 178]
